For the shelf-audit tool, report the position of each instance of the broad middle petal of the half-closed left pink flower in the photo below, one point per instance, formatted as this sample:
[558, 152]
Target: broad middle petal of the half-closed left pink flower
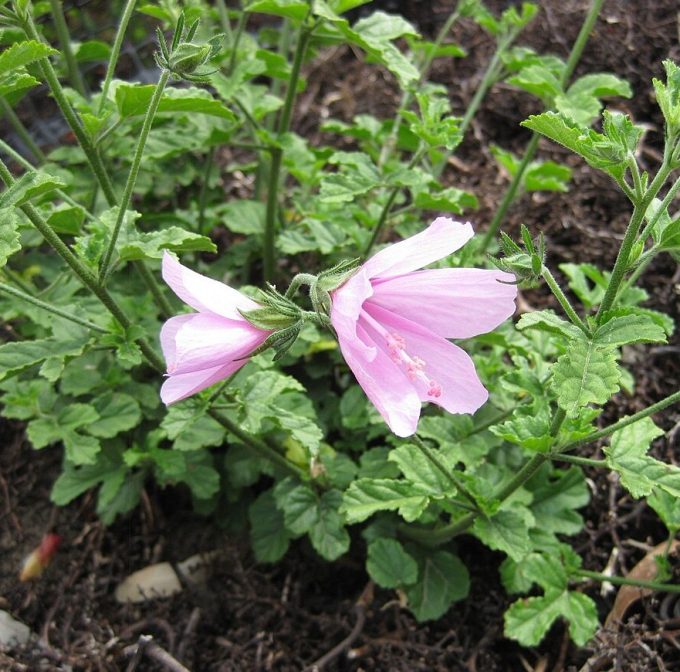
[205, 340]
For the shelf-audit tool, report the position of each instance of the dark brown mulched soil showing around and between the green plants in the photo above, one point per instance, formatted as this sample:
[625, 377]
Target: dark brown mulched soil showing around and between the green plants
[284, 618]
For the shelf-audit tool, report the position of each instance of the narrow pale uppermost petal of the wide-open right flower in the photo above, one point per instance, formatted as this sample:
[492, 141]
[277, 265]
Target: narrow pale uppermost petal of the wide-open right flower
[437, 241]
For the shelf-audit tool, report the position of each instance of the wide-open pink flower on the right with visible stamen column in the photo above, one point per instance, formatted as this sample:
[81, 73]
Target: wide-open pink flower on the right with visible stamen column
[392, 323]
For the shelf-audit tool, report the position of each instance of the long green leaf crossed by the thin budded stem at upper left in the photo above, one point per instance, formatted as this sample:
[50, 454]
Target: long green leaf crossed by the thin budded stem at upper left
[133, 100]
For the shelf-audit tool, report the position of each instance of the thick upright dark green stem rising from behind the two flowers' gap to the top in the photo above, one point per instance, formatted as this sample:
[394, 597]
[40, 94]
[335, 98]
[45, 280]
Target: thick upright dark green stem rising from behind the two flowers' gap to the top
[271, 216]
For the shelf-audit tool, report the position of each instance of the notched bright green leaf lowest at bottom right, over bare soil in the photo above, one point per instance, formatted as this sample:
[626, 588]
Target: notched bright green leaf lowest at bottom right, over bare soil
[528, 620]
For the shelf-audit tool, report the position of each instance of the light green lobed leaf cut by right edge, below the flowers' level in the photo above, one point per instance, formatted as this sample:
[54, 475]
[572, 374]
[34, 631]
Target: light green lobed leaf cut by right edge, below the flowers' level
[640, 473]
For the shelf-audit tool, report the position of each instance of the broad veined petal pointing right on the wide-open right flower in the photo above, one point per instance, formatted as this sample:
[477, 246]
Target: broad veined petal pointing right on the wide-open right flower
[451, 302]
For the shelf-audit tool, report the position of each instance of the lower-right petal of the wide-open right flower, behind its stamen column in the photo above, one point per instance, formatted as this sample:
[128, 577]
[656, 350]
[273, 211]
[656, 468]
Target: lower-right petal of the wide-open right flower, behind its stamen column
[446, 364]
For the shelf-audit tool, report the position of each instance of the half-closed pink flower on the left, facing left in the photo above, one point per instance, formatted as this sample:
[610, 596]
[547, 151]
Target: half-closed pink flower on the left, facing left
[204, 347]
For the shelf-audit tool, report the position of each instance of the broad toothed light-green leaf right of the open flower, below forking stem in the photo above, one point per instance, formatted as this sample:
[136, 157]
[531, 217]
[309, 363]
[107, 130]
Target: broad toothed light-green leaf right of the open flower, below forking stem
[587, 373]
